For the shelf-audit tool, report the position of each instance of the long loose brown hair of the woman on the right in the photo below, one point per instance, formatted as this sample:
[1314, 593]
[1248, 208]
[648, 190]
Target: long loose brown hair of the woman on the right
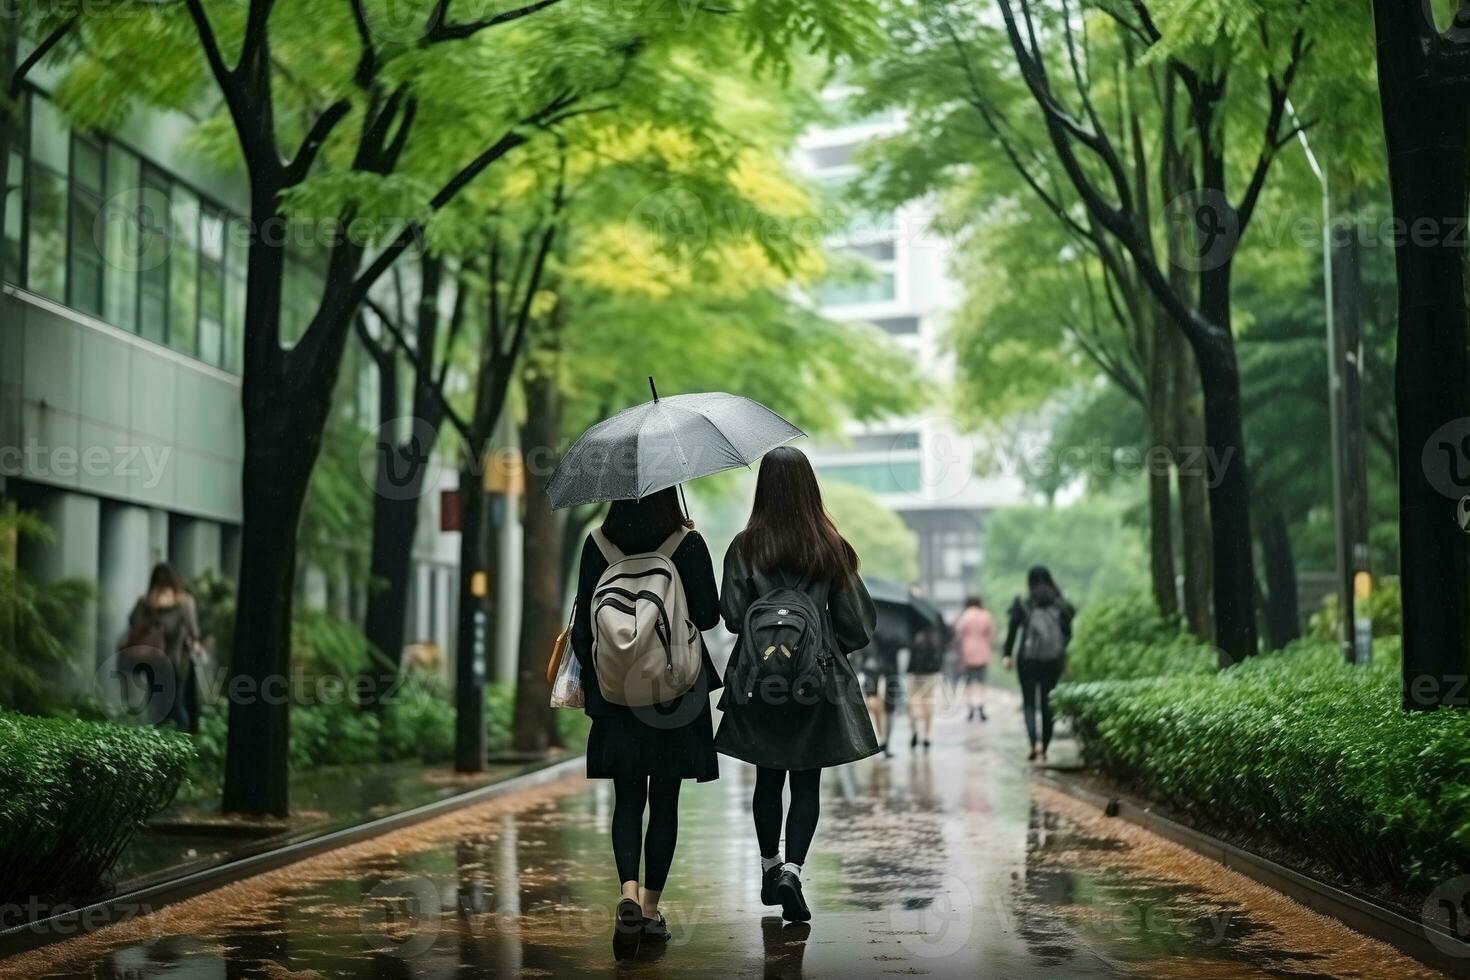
[789, 527]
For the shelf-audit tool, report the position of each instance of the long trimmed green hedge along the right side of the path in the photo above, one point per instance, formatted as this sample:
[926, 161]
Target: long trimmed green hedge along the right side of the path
[1299, 747]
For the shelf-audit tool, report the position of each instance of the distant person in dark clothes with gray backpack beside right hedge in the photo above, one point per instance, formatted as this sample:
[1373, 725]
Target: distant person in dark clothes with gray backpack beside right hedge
[1037, 644]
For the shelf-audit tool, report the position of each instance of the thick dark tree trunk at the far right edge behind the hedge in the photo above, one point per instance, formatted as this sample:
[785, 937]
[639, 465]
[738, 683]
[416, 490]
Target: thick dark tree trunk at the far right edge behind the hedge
[1427, 123]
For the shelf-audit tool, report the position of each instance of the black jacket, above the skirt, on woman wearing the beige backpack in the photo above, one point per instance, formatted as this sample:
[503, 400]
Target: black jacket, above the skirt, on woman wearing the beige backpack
[696, 572]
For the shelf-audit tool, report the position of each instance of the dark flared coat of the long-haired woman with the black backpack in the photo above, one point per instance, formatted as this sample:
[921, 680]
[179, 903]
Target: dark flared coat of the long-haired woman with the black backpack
[836, 729]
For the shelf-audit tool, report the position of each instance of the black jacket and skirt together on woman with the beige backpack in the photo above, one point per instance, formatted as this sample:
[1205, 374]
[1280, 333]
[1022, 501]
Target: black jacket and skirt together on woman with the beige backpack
[670, 740]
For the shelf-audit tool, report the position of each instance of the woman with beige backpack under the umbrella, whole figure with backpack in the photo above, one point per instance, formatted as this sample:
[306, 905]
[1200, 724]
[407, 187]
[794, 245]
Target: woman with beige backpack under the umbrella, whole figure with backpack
[646, 593]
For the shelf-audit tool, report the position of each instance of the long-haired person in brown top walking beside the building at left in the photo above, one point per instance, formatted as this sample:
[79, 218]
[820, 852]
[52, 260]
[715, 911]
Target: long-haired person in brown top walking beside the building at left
[164, 635]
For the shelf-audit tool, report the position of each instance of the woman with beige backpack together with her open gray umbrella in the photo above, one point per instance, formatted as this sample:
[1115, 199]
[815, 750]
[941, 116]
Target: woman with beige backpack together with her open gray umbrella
[636, 461]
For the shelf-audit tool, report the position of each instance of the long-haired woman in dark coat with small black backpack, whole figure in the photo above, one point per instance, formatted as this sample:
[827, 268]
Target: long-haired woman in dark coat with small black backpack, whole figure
[793, 705]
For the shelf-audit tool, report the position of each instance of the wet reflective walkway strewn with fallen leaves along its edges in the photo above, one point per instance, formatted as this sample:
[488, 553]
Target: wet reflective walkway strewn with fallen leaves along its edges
[942, 865]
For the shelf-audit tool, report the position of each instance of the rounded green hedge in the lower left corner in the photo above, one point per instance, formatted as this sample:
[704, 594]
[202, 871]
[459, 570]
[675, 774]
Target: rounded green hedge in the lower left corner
[71, 797]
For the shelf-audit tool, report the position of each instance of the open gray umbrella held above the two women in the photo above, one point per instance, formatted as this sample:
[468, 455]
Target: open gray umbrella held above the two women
[664, 443]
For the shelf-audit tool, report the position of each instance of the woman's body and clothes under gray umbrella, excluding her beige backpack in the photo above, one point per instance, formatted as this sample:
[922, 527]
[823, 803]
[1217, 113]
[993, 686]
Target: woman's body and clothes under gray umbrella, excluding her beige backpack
[648, 752]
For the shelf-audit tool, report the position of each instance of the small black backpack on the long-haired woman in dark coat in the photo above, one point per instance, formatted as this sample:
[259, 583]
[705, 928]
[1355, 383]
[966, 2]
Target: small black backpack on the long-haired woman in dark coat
[784, 652]
